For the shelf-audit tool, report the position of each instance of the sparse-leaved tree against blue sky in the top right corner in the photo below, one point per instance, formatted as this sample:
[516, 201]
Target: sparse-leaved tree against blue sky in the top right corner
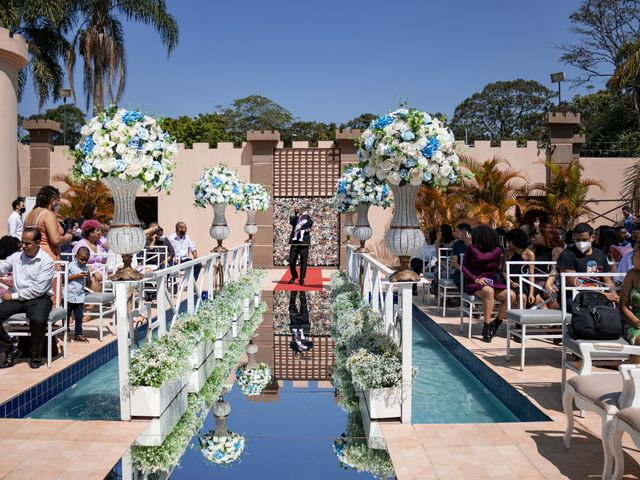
[606, 31]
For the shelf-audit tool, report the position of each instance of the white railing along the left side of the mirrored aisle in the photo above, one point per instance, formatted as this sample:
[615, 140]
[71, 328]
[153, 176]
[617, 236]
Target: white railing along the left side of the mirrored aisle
[175, 285]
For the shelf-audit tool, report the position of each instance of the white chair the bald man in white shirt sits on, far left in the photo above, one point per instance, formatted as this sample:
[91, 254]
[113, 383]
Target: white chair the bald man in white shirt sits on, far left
[58, 314]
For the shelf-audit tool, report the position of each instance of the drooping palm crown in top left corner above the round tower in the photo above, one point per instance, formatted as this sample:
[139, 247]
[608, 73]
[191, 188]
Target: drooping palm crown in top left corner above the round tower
[43, 25]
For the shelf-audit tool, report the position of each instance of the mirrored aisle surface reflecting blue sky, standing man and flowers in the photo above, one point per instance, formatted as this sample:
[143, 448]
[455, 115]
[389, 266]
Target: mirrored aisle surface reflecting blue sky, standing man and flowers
[289, 429]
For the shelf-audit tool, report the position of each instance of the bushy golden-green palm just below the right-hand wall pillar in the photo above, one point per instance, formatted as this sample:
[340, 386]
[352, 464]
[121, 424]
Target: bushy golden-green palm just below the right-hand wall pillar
[564, 196]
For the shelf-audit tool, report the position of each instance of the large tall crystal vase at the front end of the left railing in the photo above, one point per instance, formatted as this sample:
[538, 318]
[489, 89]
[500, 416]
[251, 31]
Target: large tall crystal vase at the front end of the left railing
[125, 236]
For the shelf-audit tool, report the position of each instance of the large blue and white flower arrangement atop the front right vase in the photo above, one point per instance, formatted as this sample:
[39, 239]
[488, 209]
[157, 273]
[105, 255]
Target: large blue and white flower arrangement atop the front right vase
[409, 147]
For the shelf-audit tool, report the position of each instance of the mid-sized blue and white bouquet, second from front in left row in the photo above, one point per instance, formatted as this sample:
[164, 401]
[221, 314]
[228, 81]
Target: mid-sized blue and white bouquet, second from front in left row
[218, 185]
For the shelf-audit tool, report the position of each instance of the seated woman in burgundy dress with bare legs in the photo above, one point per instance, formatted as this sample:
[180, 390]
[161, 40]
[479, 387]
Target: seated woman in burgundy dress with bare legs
[481, 268]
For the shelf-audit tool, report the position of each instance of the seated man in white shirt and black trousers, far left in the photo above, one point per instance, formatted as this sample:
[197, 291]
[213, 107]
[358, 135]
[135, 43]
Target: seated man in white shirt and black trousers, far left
[32, 275]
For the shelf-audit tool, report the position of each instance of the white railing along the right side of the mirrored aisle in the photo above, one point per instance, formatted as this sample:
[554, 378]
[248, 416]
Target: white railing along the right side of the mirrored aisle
[378, 292]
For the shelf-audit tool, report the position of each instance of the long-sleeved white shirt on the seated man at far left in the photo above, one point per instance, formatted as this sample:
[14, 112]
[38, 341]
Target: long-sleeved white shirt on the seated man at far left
[32, 277]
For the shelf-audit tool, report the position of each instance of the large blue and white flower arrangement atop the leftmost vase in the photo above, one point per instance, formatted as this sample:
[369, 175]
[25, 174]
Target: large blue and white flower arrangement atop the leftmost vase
[126, 144]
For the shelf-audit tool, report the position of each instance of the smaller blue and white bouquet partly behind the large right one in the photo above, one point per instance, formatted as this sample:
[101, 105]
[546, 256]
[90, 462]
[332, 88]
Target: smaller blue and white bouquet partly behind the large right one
[354, 188]
